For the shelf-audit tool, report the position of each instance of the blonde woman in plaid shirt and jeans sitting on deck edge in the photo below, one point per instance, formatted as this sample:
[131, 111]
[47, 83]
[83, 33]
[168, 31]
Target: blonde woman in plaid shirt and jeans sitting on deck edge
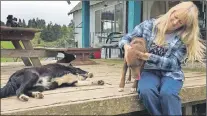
[170, 39]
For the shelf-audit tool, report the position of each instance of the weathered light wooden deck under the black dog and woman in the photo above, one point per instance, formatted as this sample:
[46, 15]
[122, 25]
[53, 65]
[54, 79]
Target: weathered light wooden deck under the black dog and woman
[93, 100]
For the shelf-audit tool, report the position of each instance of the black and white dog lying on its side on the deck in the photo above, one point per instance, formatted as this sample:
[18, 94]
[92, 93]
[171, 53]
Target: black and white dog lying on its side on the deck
[32, 81]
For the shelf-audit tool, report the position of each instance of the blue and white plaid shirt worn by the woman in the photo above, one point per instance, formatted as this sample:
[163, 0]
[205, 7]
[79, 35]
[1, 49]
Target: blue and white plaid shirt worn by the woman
[170, 63]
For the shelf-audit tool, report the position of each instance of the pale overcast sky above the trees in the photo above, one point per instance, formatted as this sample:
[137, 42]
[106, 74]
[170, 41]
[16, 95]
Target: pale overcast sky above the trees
[54, 11]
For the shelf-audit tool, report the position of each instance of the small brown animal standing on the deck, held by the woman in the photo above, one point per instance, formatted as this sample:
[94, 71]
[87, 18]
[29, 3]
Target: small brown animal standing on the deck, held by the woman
[134, 64]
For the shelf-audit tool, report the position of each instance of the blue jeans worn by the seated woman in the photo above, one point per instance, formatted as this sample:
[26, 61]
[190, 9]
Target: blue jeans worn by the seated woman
[160, 94]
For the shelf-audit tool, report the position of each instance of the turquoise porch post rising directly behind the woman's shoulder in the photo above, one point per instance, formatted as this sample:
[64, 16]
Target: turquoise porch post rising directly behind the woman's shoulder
[134, 14]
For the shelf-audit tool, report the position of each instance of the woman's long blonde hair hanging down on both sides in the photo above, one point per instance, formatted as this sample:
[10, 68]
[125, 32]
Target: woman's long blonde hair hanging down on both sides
[190, 33]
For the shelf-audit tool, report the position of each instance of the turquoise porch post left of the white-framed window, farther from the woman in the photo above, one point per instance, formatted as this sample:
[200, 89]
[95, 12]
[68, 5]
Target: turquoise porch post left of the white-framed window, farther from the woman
[85, 23]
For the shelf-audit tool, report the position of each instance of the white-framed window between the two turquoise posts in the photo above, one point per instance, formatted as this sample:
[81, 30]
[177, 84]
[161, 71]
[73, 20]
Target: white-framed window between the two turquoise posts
[109, 19]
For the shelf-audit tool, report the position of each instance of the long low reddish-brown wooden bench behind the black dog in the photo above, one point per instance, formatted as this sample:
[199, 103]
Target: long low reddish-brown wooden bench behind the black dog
[82, 54]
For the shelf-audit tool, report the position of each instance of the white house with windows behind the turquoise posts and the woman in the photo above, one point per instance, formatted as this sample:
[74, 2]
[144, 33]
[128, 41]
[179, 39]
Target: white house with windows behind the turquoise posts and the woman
[113, 16]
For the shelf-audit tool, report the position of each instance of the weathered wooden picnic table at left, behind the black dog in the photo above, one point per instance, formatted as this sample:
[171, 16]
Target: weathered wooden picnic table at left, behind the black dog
[26, 52]
